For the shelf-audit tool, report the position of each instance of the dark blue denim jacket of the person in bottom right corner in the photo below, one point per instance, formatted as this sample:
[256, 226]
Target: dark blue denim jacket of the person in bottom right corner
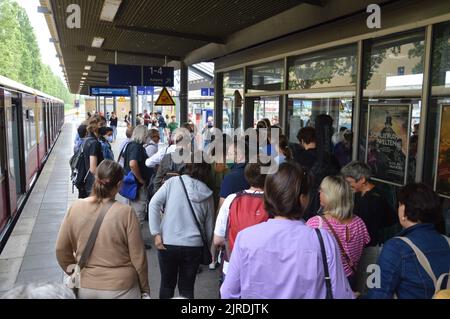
[401, 272]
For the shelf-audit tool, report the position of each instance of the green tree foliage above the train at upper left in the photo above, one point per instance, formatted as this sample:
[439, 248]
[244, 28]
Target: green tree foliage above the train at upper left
[20, 57]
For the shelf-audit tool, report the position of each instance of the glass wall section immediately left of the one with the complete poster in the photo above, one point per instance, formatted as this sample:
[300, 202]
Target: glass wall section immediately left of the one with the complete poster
[333, 74]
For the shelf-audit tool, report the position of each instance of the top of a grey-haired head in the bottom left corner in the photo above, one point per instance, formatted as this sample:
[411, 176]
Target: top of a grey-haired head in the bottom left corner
[39, 291]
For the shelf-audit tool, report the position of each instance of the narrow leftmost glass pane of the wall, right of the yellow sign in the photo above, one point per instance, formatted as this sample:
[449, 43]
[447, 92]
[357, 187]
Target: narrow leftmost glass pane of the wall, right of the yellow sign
[233, 92]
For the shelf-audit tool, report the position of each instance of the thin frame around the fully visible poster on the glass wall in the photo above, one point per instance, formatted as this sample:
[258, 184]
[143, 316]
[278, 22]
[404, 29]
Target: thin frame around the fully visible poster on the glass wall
[408, 137]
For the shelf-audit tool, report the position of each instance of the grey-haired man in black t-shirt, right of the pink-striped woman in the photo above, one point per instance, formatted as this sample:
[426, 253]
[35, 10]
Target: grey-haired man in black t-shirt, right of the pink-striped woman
[370, 205]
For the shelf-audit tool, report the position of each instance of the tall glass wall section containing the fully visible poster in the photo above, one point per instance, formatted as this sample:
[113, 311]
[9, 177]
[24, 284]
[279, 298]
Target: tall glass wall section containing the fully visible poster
[390, 109]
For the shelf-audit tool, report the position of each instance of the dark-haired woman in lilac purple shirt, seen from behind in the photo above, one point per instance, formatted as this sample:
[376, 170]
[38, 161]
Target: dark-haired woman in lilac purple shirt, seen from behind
[281, 258]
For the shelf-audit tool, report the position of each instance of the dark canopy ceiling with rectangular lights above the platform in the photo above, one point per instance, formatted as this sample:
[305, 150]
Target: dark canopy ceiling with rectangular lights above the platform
[159, 32]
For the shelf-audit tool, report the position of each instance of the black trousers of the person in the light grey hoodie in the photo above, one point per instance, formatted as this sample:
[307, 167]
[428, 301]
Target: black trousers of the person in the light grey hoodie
[178, 264]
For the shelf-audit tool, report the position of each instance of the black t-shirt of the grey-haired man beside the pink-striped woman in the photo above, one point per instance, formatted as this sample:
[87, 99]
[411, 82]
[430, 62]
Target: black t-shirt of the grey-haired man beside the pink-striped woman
[376, 213]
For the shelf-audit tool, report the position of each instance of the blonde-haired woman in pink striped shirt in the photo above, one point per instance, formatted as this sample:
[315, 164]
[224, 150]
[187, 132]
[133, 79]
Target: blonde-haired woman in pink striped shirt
[348, 230]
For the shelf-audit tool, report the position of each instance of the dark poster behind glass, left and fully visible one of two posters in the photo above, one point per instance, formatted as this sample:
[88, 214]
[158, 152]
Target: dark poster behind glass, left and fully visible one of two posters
[388, 140]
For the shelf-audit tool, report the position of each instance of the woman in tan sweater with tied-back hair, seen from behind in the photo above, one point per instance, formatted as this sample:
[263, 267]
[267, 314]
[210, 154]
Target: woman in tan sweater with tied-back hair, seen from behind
[116, 266]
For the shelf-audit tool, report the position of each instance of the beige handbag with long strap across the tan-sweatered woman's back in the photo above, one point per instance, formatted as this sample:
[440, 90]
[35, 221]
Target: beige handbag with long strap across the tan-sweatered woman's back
[75, 278]
